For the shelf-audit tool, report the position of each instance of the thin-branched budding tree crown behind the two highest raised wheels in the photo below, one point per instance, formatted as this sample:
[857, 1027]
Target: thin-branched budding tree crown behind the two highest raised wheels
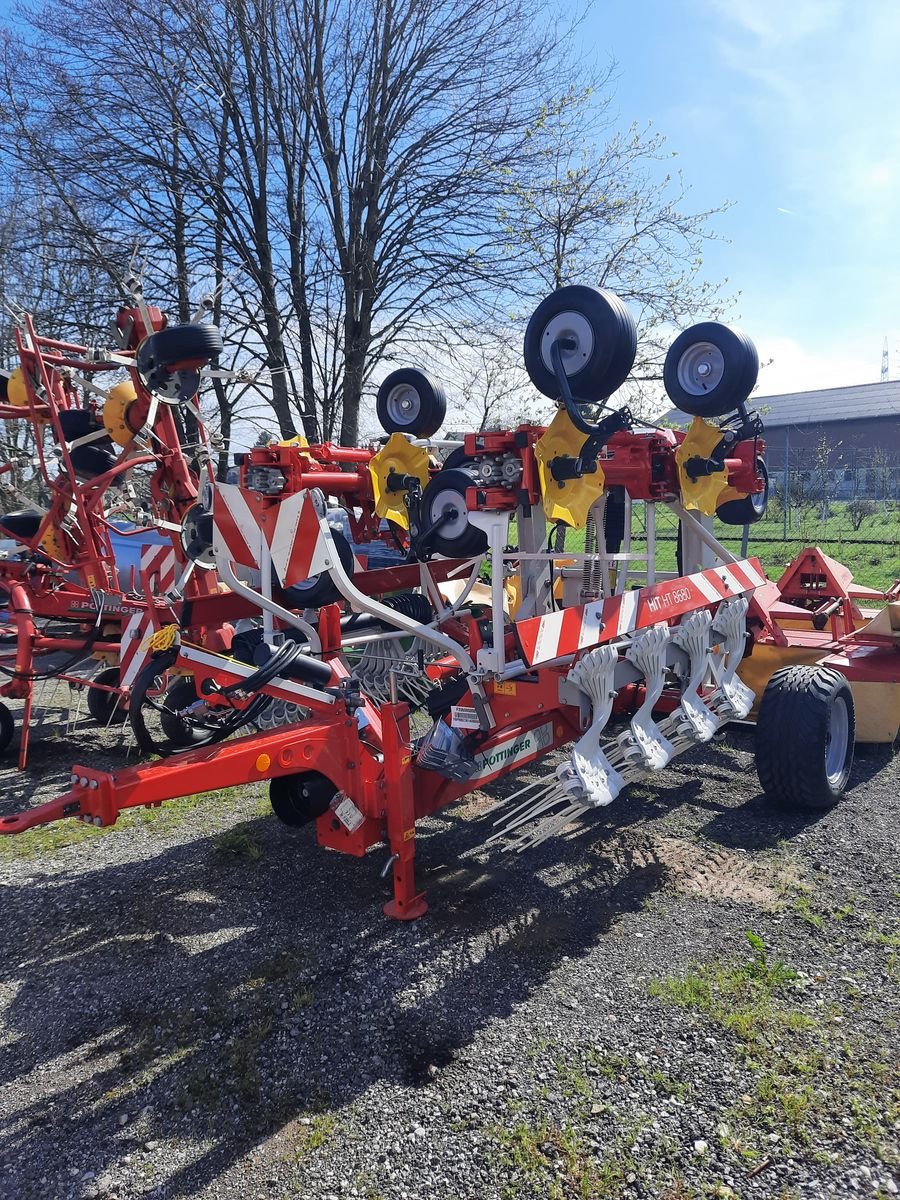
[601, 206]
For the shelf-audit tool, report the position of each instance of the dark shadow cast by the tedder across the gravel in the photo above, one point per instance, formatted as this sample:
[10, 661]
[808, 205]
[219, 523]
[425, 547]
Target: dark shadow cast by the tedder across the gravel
[152, 977]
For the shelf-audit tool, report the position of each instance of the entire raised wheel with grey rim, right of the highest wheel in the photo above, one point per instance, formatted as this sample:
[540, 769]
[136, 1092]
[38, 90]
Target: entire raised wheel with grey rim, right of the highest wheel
[710, 370]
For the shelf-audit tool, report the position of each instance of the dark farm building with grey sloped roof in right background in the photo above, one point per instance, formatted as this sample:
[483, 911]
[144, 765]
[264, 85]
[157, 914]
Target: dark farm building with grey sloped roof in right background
[841, 441]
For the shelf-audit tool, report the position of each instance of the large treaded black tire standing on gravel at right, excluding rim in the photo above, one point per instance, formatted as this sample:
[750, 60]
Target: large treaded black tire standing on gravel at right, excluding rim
[794, 735]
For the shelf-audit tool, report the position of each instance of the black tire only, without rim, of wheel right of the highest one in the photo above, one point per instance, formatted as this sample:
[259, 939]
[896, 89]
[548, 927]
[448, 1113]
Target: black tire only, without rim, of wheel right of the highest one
[740, 370]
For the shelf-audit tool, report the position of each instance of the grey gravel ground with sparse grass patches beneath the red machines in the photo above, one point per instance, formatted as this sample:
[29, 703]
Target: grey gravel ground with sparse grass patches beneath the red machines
[205, 1004]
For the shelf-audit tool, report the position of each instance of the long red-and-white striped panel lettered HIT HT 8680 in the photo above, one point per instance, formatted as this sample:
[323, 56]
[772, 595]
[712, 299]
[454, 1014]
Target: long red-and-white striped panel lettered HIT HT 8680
[562, 634]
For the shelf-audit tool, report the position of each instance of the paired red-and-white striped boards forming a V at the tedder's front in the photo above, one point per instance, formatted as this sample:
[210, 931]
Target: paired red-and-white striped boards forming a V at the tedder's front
[291, 530]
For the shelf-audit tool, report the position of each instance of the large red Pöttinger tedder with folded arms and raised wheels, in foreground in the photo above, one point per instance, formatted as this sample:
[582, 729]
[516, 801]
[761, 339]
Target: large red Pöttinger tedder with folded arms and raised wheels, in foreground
[521, 615]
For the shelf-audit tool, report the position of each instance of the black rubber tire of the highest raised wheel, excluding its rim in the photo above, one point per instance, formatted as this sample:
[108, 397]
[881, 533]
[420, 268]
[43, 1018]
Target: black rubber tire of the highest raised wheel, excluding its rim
[605, 362]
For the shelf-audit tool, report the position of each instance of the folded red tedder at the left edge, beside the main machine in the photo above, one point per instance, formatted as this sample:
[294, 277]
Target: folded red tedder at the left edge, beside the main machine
[99, 454]
